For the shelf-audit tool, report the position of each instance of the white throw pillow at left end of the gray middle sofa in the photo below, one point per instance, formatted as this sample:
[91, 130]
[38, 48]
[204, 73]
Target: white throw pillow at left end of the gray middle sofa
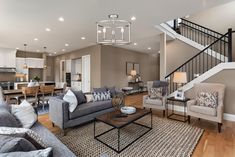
[71, 99]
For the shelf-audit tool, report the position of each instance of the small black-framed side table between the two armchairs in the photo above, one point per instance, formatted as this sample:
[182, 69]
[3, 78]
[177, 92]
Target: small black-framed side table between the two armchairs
[173, 114]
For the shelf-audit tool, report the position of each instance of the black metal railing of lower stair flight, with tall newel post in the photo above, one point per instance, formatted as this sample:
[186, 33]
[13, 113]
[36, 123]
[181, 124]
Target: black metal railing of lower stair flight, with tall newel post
[204, 60]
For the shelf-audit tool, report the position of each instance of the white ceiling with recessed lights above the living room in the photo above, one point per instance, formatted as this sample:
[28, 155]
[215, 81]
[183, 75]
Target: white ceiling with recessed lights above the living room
[23, 20]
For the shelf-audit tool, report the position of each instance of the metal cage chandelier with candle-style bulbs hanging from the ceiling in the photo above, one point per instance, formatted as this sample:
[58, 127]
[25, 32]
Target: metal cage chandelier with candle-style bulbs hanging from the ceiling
[113, 31]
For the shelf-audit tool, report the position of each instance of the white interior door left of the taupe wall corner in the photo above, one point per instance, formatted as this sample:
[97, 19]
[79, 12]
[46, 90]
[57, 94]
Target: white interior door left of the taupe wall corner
[86, 64]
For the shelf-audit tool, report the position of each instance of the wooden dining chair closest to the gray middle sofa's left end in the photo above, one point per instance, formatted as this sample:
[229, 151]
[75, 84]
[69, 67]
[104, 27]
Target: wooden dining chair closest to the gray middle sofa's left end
[46, 93]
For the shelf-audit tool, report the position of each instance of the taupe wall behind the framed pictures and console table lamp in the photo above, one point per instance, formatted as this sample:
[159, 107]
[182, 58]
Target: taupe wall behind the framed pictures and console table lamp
[113, 66]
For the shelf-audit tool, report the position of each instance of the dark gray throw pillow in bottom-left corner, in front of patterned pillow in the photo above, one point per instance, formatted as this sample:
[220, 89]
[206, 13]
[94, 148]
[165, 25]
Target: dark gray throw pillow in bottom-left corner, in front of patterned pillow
[14, 144]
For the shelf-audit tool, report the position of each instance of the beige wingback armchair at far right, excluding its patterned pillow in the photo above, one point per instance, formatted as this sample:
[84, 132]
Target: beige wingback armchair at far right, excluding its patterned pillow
[211, 114]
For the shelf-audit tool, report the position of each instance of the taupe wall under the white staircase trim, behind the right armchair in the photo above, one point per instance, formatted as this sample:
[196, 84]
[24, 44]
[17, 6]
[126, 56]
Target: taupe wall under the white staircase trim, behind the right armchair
[225, 77]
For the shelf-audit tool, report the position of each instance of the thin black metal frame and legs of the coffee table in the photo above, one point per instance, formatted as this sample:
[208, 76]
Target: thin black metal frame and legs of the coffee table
[119, 128]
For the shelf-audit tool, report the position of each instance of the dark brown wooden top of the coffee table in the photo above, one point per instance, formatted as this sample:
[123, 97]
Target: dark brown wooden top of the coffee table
[118, 122]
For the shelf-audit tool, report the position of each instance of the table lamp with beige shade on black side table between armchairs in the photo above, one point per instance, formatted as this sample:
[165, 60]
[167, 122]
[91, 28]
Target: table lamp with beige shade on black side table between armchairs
[180, 78]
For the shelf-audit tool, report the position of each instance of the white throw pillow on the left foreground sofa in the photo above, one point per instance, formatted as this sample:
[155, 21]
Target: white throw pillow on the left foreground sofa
[25, 114]
